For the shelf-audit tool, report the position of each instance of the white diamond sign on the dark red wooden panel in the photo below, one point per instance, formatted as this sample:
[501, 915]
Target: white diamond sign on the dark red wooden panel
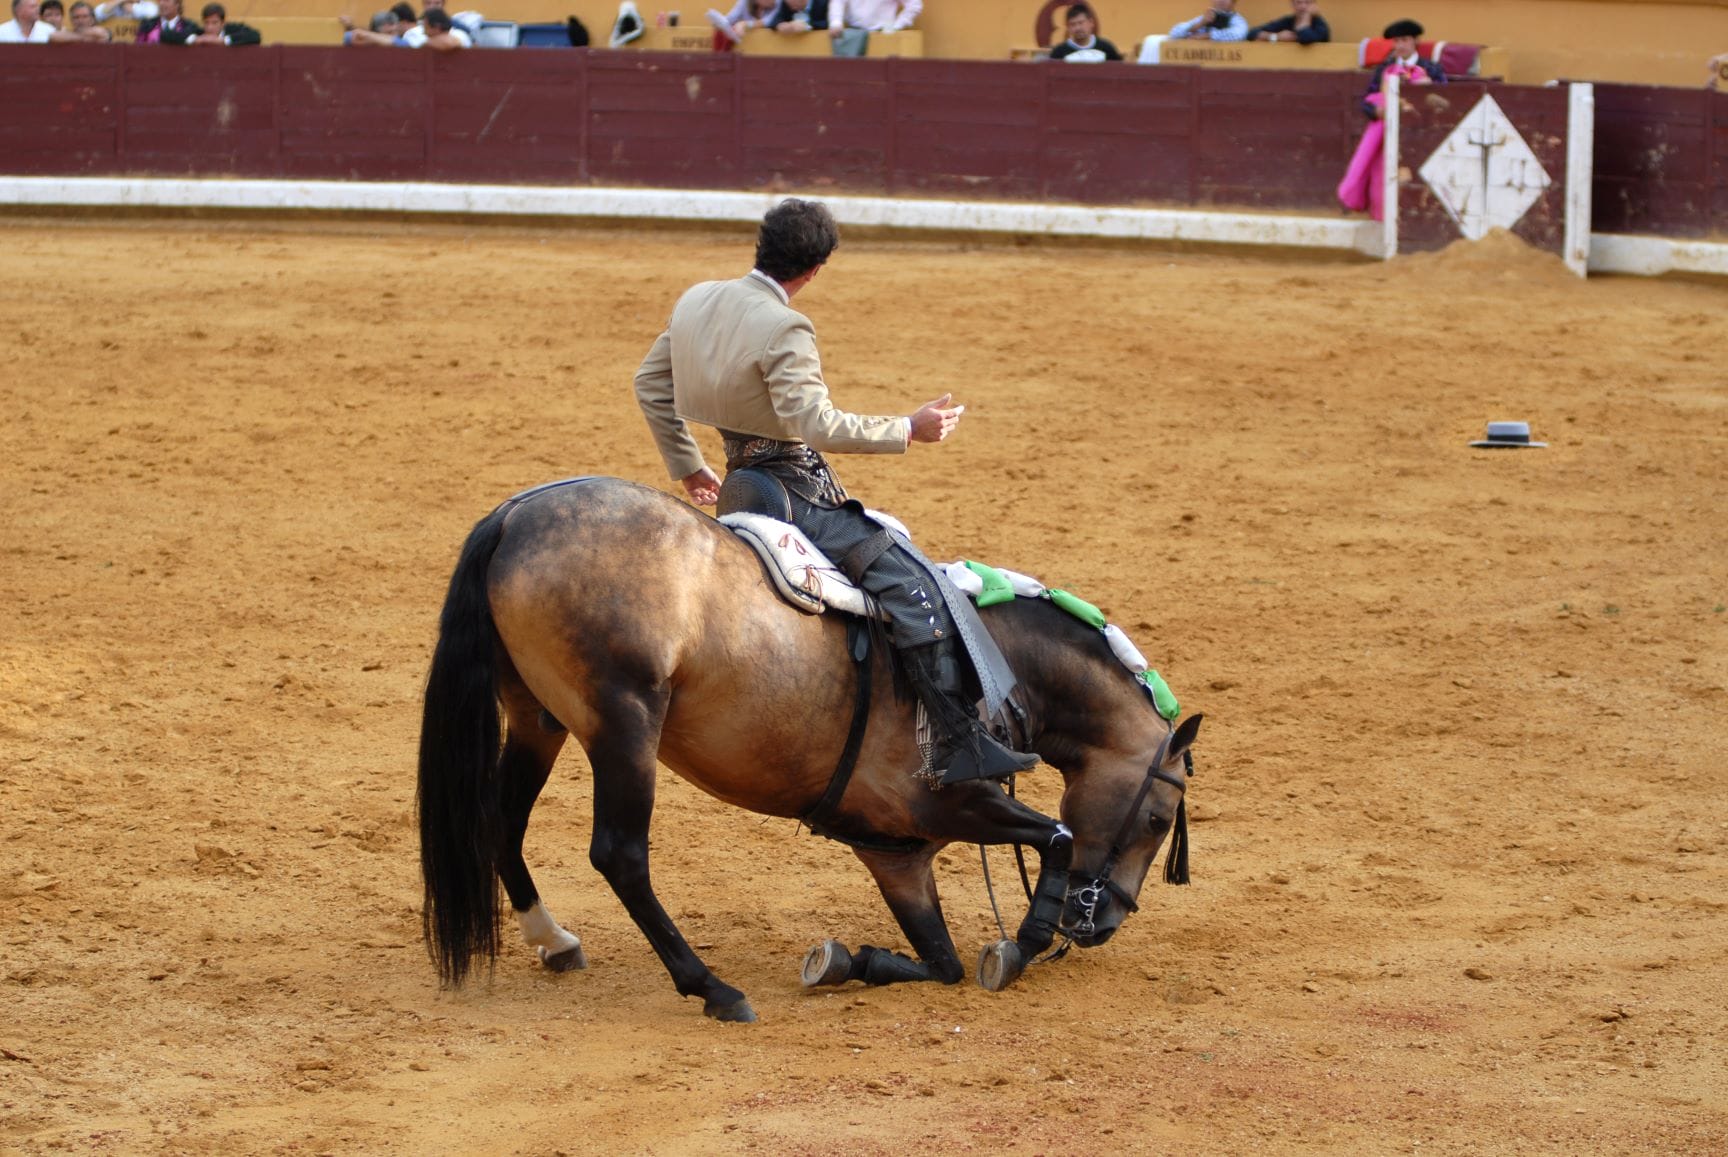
[1485, 174]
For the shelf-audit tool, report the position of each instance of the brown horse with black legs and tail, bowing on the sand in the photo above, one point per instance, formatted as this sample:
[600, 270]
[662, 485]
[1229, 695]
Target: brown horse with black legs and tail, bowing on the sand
[619, 616]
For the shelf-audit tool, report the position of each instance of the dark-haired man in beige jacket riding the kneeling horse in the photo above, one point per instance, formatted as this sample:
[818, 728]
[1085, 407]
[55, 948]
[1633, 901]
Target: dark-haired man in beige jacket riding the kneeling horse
[739, 358]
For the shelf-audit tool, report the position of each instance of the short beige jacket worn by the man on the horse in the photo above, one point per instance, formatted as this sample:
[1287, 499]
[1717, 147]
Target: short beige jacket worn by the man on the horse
[737, 357]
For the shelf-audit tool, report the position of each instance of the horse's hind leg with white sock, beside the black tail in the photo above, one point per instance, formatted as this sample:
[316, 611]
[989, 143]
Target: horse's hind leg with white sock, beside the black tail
[523, 769]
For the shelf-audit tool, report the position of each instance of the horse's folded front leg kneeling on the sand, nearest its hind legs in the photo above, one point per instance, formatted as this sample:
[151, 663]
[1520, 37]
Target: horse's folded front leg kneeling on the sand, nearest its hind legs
[910, 887]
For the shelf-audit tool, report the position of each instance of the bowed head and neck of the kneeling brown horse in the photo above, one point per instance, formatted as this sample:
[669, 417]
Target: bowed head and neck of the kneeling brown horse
[1124, 766]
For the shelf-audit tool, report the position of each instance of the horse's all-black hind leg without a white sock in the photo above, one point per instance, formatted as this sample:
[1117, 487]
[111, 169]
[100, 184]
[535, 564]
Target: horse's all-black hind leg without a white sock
[625, 771]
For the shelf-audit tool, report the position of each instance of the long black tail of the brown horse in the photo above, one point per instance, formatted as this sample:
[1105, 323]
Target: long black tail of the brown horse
[459, 793]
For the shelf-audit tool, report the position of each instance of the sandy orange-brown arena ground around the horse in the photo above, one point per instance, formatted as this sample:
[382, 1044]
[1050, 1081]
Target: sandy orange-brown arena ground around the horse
[1461, 859]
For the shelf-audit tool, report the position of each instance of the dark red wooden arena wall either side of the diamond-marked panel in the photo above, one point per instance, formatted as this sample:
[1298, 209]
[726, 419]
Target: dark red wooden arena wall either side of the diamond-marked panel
[1115, 136]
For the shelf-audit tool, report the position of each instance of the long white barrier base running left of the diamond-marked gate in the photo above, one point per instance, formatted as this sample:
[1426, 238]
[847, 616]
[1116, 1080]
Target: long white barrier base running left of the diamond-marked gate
[1176, 225]
